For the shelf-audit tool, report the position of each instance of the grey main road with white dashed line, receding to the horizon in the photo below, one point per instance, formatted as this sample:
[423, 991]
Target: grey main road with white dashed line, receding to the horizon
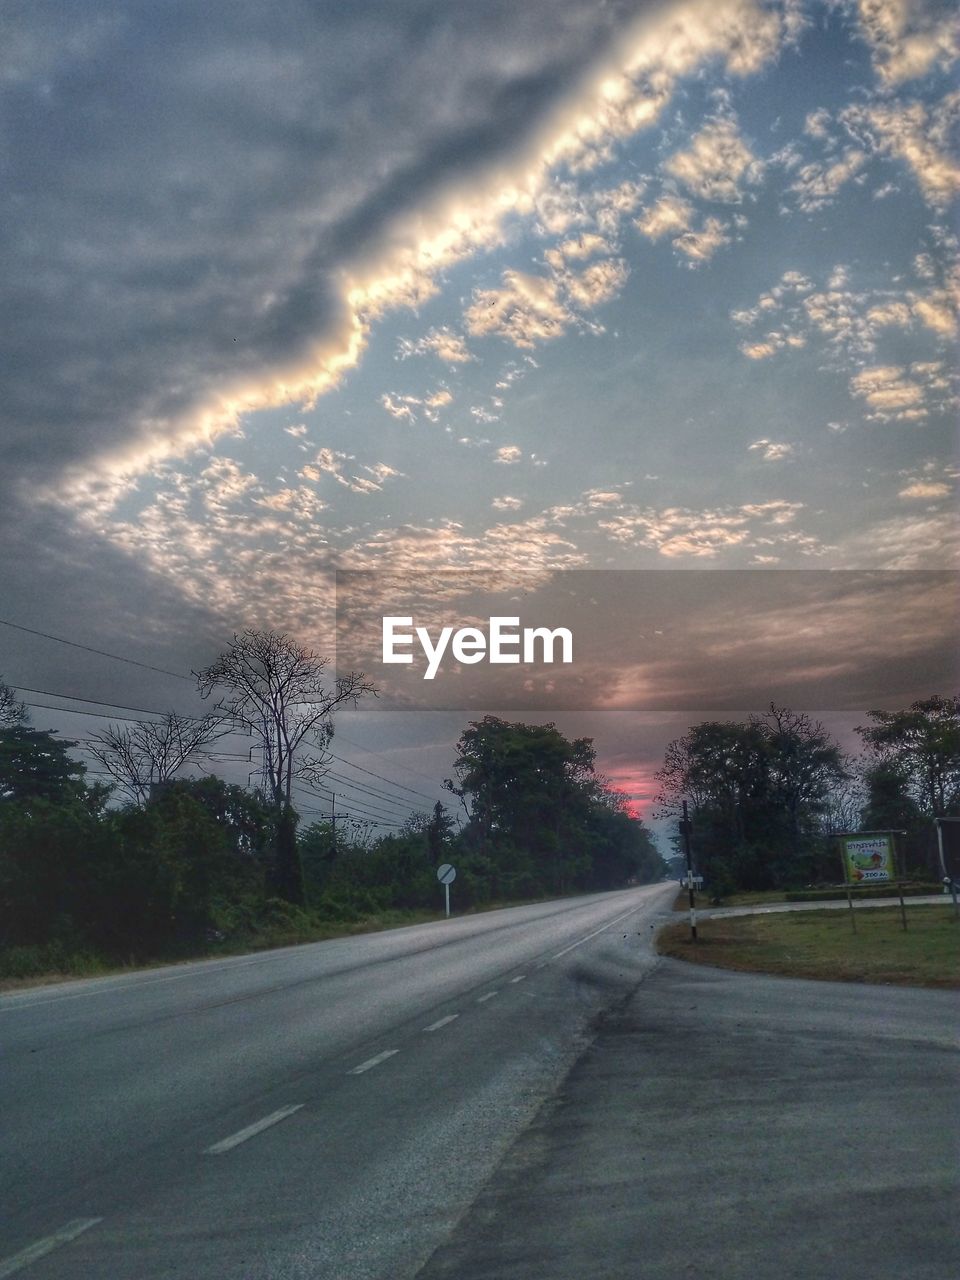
[324, 1112]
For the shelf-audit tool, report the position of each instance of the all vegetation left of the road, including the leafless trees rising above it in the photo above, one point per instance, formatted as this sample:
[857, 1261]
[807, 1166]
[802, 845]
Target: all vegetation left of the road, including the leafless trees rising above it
[162, 867]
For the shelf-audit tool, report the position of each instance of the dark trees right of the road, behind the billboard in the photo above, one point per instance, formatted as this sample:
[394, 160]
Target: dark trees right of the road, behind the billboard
[766, 794]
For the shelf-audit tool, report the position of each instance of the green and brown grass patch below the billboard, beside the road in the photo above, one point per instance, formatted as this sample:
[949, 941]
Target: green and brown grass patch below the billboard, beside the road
[822, 945]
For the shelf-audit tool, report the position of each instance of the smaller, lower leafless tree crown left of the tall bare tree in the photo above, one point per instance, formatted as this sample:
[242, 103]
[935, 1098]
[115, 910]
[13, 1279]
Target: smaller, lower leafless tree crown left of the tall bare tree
[140, 758]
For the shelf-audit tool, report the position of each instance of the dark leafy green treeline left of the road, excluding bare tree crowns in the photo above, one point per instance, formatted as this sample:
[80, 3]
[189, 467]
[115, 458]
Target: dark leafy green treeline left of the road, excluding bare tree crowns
[194, 865]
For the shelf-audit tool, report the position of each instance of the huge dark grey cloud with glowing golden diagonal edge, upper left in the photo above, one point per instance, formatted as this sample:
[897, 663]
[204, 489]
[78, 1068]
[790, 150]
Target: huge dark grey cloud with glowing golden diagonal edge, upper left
[196, 285]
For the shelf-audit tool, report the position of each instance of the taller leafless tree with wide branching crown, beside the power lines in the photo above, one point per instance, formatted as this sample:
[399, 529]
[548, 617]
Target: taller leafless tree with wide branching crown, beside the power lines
[278, 689]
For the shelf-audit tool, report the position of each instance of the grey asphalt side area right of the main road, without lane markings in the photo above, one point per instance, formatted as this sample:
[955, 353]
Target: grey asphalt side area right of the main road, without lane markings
[735, 1127]
